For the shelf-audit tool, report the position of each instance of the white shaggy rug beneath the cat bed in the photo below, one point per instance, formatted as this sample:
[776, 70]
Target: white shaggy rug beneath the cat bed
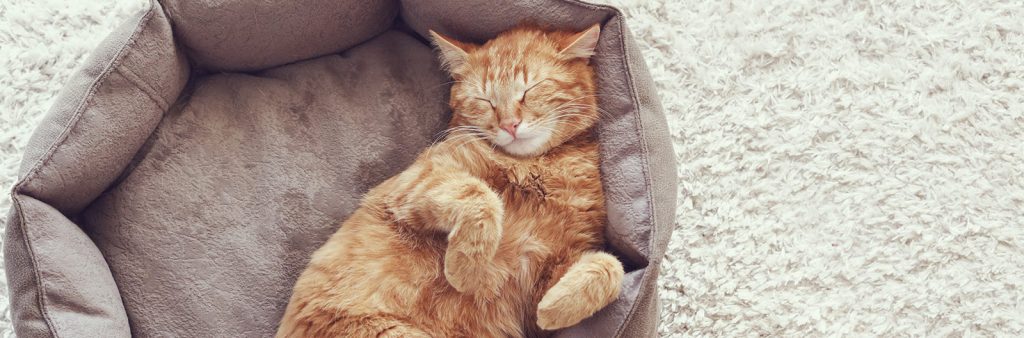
[846, 167]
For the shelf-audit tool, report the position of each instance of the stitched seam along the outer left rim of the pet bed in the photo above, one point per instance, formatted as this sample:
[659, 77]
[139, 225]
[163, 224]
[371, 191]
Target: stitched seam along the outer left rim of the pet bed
[49, 155]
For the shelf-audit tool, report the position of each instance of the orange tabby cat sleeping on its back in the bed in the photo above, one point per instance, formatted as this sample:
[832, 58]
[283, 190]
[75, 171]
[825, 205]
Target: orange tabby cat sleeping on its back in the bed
[496, 231]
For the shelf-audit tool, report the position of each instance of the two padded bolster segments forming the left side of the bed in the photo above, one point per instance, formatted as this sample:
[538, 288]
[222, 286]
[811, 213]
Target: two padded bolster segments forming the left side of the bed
[59, 282]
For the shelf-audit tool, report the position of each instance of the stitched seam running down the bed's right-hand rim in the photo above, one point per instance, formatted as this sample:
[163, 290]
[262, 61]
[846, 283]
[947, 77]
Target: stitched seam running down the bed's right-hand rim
[644, 146]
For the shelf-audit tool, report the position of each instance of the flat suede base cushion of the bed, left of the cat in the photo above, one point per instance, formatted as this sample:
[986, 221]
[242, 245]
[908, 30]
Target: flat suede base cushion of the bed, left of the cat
[239, 186]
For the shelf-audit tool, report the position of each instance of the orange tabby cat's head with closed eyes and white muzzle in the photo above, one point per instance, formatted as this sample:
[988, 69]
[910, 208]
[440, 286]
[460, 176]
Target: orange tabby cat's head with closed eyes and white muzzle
[527, 92]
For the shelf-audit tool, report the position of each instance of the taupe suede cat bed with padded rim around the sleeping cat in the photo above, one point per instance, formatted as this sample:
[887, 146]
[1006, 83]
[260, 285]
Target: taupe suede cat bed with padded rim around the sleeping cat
[185, 176]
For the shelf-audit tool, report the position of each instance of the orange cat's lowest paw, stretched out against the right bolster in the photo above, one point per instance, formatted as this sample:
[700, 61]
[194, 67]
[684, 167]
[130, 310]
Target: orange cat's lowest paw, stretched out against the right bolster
[590, 284]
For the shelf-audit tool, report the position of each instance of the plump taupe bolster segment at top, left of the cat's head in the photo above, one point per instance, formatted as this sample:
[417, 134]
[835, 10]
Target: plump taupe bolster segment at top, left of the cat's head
[247, 35]
